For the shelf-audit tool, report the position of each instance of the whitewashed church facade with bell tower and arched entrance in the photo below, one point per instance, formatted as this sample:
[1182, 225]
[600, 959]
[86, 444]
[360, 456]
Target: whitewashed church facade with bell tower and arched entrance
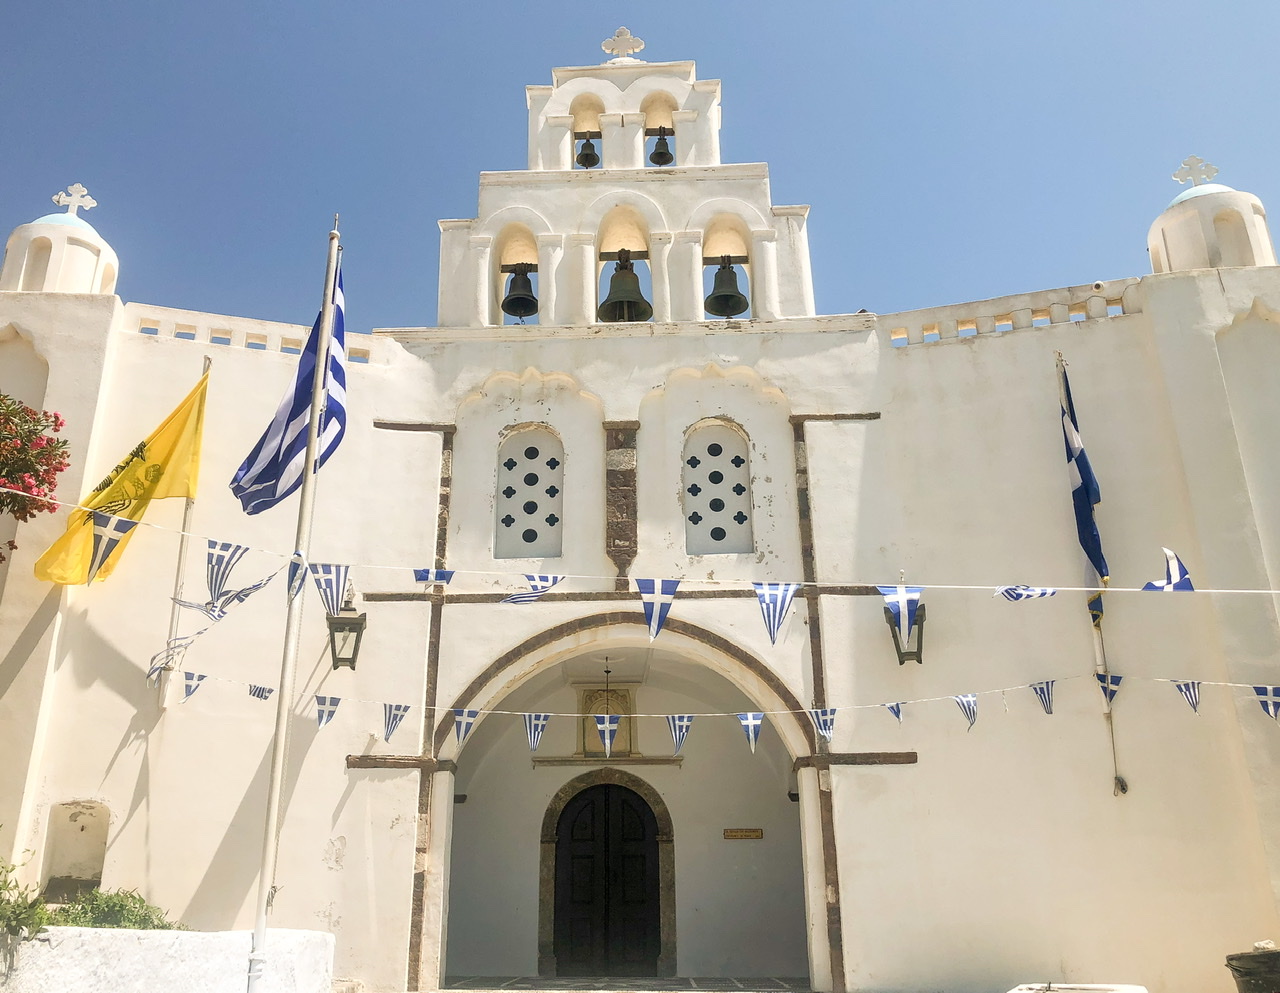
[852, 807]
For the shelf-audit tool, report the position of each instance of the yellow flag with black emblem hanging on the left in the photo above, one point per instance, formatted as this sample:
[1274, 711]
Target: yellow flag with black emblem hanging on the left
[167, 464]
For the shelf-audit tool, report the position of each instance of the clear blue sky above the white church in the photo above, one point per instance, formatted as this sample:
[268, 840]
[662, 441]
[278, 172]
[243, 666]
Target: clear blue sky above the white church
[950, 152]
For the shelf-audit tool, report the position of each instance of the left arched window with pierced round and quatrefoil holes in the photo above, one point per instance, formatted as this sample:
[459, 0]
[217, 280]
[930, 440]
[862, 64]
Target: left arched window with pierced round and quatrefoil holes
[531, 497]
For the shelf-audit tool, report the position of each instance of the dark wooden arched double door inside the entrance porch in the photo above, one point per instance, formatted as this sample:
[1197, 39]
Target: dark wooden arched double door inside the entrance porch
[607, 916]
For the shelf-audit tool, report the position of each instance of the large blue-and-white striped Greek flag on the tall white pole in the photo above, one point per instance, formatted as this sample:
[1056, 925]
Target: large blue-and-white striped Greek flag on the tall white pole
[275, 469]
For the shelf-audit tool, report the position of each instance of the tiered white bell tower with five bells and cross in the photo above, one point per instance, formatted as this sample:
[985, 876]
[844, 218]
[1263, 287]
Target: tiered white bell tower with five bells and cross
[625, 180]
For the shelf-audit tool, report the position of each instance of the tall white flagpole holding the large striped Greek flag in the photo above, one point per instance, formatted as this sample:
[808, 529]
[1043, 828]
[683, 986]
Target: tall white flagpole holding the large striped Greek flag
[292, 629]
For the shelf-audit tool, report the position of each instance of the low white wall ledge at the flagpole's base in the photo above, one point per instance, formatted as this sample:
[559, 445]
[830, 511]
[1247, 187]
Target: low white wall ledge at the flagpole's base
[108, 960]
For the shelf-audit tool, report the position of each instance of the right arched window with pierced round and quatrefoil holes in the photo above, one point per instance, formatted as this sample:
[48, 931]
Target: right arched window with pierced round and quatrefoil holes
[717, 491]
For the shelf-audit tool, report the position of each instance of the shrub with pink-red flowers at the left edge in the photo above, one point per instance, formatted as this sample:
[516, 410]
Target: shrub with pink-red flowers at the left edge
[31, 457]
